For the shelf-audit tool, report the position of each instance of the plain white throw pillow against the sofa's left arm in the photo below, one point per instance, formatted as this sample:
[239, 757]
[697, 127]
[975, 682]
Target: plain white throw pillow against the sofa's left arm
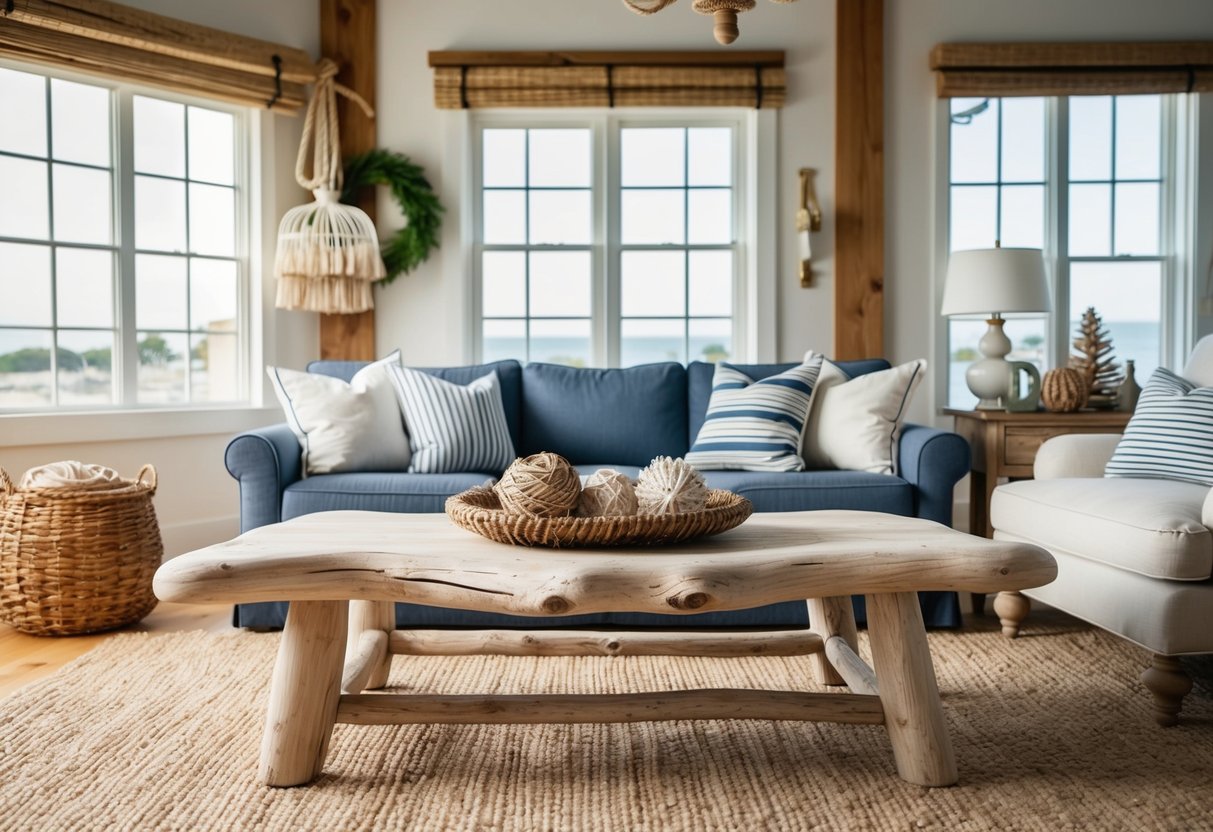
[341, 426]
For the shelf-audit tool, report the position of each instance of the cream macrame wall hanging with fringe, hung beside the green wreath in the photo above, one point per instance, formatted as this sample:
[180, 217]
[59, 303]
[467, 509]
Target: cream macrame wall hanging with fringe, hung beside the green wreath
[328, 253]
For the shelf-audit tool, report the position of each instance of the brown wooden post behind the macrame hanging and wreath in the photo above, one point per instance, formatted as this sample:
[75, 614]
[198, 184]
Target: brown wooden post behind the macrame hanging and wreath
[348, 37]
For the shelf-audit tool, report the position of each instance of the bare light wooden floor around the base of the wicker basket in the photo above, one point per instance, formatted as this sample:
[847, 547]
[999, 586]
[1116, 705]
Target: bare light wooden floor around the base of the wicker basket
[25, 659]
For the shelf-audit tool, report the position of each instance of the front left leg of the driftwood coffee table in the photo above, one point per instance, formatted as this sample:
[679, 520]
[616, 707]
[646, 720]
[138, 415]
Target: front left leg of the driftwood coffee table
[305, 693]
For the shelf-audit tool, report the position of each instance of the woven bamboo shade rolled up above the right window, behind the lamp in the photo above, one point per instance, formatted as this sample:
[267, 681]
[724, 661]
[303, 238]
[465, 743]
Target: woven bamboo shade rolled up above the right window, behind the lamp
[1072, 70]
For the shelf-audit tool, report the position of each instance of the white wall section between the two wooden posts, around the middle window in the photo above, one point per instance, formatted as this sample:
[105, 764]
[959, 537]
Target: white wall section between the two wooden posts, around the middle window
[420, 311]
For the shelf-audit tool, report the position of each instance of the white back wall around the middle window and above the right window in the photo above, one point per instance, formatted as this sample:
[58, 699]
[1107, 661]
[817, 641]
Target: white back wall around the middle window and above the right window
[420, 315]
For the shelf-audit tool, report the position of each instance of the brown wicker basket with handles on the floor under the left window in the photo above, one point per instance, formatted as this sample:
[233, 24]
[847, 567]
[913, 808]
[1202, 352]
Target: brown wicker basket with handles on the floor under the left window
[78, 561]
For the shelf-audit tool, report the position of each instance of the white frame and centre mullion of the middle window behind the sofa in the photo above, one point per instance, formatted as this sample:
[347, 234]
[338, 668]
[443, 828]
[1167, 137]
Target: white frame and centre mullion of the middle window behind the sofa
[606, 248]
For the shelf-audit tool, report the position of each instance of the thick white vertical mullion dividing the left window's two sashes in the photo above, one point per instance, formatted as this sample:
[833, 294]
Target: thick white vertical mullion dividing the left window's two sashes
[127, 362]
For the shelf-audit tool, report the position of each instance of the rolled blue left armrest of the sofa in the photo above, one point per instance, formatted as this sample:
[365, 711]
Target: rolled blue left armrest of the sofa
[265, 461]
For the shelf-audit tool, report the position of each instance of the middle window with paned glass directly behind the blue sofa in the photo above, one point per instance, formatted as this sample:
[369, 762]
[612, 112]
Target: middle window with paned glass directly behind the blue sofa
[608, 242]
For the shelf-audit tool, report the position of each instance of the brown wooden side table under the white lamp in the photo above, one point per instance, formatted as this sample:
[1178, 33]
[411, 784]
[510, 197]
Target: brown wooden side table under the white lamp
[1005, 446]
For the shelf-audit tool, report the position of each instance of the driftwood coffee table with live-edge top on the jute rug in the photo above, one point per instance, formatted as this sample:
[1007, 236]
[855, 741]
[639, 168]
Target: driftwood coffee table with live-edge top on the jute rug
[344, 571]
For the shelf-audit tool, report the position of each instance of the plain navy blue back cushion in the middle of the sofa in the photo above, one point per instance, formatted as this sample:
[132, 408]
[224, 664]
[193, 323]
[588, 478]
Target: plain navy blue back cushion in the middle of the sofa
[628, 417]
